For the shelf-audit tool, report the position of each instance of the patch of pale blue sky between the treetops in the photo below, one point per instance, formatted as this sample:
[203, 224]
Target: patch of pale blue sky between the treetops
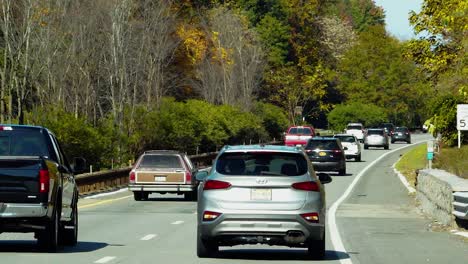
[396, 12]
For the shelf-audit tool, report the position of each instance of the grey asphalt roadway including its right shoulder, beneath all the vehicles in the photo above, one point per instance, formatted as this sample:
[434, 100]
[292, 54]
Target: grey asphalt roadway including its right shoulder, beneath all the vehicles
[376, 223]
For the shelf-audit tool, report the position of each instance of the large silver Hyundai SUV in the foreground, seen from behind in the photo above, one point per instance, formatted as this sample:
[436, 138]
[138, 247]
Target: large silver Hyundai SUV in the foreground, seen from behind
[261, 194]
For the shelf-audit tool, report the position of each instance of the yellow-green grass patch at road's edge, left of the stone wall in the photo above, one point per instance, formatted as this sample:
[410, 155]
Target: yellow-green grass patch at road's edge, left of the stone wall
[411, 161]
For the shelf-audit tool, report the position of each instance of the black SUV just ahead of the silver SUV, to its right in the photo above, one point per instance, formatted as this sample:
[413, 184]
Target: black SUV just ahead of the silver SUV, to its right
[327, 154]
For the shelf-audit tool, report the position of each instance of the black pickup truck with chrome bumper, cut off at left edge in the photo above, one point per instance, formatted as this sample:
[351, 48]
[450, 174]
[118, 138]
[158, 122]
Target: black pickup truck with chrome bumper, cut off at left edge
[38, 192]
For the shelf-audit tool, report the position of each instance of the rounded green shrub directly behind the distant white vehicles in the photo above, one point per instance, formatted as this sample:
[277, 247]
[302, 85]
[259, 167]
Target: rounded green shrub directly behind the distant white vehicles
[367, 114]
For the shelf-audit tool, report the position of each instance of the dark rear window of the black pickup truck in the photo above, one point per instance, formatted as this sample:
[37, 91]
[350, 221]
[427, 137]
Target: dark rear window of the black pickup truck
[22, 143]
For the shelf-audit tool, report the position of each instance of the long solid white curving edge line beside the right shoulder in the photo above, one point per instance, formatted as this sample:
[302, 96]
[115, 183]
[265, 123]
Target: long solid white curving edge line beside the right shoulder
[332, 226]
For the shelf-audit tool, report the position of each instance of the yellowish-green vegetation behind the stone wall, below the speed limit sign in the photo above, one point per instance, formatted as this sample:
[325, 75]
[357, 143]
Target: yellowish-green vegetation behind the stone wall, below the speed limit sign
[453, 160]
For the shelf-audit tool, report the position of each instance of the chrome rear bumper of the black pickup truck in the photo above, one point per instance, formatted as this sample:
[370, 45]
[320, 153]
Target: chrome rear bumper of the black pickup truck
[22, 210]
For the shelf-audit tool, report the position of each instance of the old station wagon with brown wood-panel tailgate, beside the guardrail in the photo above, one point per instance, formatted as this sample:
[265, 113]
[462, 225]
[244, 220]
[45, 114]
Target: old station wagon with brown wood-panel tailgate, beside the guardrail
[163, 171]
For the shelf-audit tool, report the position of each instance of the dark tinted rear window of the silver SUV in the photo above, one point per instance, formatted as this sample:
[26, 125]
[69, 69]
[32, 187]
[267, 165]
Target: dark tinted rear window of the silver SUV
[262, 163]
